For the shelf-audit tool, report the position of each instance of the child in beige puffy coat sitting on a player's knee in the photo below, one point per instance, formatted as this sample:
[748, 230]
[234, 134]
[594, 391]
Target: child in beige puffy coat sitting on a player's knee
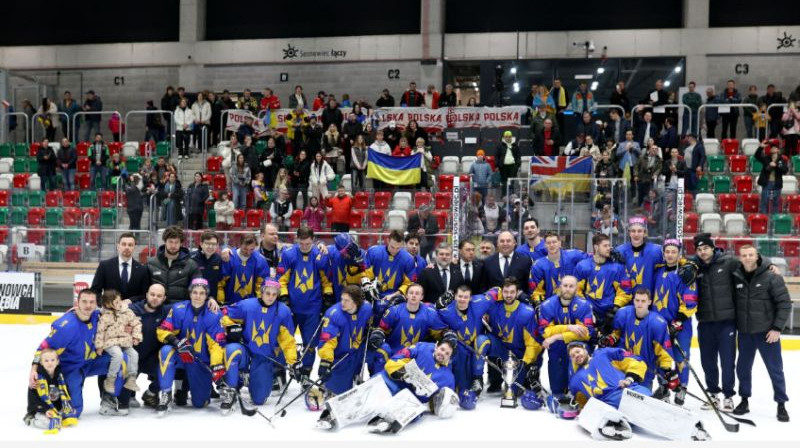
[113, 338]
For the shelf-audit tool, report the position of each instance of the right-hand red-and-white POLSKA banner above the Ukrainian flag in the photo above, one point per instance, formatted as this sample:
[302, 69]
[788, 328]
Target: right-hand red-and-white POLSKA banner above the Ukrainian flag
[436, 120]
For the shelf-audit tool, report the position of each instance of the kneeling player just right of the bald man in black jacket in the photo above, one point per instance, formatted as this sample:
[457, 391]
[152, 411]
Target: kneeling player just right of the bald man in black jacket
[191, 335]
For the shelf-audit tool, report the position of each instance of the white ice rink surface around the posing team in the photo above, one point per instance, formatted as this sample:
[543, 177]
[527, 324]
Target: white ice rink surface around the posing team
[487, 423]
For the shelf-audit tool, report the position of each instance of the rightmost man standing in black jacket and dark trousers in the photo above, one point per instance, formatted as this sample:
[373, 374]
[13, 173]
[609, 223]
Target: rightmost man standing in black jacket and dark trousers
[763, 307]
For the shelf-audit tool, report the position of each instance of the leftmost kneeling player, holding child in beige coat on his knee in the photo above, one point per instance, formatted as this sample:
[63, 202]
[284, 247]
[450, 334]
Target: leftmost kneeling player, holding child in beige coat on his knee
[72, 337]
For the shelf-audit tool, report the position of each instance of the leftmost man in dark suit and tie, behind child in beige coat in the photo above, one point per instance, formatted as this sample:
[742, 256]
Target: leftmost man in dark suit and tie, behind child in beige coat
[122, 273]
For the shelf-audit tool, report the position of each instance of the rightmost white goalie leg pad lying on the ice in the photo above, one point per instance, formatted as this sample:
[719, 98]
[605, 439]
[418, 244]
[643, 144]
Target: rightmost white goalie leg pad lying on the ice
[661, 418]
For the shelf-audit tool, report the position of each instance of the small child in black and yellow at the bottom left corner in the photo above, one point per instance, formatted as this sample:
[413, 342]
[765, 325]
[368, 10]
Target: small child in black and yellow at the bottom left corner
[49, 404]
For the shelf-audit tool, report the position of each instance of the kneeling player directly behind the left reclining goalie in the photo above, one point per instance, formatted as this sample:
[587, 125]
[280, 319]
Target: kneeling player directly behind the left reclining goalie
[403, 325]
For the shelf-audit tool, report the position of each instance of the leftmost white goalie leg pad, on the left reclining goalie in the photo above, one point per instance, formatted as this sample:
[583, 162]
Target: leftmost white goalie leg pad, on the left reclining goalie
[360, 403]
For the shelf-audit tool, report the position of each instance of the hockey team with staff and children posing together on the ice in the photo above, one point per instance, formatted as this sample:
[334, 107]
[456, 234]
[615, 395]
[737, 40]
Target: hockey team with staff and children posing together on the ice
[211, 322]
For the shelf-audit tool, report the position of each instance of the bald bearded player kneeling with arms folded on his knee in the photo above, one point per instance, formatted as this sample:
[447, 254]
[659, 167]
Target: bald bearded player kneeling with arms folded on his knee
[563, 318]
